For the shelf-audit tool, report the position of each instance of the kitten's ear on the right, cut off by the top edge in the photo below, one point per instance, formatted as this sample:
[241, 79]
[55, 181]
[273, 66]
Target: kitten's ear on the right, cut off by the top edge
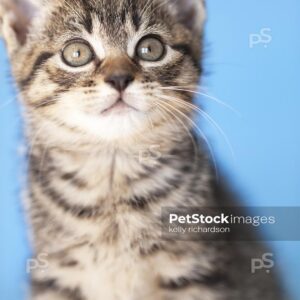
[190, 12]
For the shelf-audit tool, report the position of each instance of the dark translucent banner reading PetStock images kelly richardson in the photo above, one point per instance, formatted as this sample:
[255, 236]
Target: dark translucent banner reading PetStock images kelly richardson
[214, 223]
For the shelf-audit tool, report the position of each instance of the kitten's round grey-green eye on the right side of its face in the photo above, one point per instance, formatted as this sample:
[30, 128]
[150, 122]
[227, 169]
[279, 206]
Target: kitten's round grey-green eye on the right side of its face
[150, 49]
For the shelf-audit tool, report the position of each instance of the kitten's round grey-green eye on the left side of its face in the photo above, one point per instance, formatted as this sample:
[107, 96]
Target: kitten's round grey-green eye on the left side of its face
[77, 54]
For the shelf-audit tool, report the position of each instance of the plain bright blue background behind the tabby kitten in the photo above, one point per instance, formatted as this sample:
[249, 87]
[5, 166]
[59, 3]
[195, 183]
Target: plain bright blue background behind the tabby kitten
[261, 82]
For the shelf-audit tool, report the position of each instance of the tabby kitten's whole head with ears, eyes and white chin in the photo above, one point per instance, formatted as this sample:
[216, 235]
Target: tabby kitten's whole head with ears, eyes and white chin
[103, 68]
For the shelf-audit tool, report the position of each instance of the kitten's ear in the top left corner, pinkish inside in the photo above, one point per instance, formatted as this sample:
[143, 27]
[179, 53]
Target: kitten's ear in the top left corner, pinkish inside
[15, 20]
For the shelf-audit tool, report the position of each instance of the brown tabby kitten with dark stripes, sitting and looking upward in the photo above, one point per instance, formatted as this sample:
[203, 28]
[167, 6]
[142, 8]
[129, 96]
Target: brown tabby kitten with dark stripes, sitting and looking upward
[103, 84]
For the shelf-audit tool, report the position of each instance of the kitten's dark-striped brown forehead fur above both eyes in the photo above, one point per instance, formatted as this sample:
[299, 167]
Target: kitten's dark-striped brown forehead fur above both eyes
[115, 21]
